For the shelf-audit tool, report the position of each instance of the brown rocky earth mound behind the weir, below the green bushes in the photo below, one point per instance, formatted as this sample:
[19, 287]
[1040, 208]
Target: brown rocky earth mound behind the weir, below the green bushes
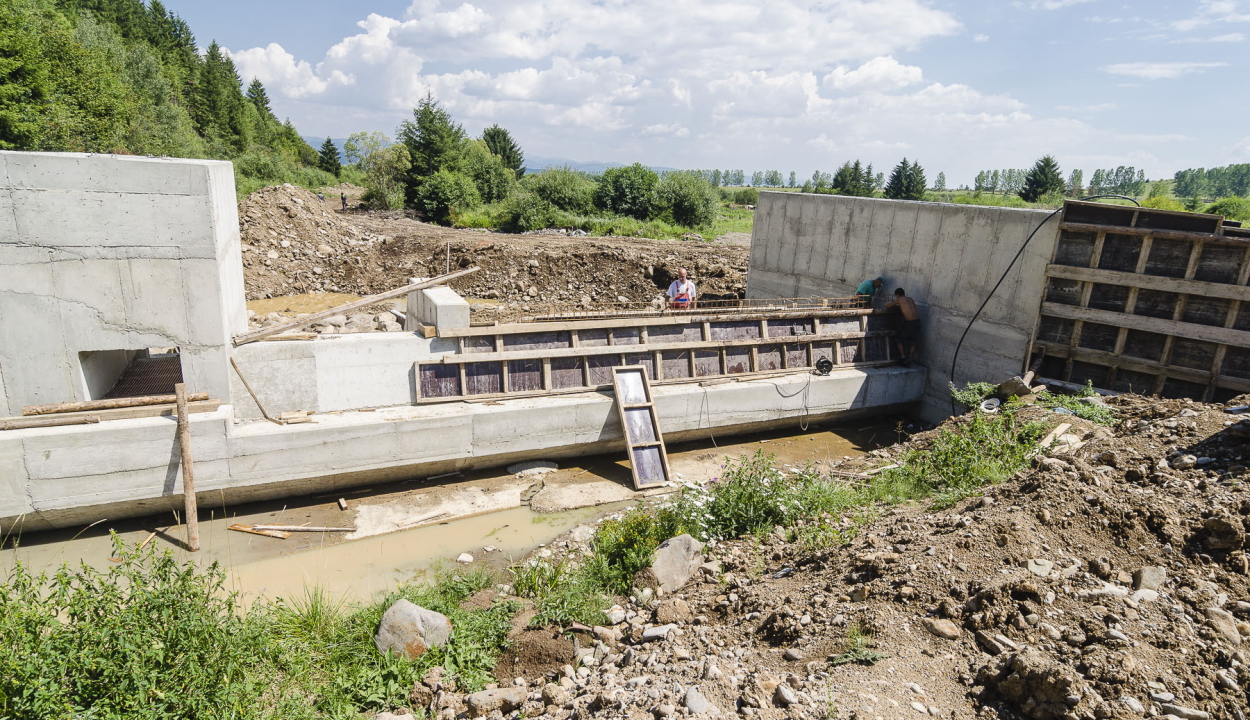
[293, 243]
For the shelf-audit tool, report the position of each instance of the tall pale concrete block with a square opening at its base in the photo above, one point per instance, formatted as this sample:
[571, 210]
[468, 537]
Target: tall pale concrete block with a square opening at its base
[114, 253]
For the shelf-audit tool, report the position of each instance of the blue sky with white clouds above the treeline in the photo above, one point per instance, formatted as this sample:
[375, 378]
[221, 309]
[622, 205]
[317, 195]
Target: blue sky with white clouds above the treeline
[787, 86]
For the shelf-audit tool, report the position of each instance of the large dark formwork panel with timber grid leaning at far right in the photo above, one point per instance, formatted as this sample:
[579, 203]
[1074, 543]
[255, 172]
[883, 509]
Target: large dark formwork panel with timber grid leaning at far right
[1143, 301]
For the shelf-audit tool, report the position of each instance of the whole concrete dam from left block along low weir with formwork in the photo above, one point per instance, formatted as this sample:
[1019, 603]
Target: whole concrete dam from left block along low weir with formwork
[121, 277]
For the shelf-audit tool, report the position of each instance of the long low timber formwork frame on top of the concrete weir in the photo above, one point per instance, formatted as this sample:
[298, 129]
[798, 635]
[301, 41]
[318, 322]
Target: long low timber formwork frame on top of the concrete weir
[544, 358]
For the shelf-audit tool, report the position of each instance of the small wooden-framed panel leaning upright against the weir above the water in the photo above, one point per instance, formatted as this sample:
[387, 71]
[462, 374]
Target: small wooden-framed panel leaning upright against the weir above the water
[644, 442]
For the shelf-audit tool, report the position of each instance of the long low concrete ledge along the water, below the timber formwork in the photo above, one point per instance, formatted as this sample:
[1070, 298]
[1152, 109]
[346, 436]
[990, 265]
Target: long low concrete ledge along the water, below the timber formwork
[62, 477]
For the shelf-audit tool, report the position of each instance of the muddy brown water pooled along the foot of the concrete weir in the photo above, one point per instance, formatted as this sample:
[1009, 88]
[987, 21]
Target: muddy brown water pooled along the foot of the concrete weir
[262, 567]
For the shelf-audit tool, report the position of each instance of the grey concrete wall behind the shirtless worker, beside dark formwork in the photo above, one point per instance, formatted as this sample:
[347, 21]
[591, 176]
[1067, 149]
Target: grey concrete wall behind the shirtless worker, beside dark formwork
[946, 257]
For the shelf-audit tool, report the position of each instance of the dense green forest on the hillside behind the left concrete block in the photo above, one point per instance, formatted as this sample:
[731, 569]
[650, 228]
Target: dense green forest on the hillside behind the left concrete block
[127, 77]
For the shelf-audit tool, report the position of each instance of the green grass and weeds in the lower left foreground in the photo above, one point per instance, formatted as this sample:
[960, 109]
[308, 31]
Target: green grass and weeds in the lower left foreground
[154, 638]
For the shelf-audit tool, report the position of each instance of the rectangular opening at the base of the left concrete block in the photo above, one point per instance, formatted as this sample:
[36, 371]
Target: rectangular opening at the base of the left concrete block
[111, 374]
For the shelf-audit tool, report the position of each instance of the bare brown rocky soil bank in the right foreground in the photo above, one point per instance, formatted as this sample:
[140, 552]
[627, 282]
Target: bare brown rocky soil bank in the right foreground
[1108, 581]
